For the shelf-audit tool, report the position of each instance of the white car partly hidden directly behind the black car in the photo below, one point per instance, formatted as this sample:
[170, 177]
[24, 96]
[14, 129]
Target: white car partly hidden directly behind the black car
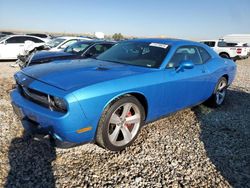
[60, 43]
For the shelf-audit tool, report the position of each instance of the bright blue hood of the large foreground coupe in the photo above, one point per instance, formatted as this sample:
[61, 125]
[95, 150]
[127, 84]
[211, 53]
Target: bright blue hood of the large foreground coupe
[73, 74]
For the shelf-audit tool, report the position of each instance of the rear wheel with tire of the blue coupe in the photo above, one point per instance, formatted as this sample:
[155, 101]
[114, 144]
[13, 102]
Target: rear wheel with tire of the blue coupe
[219, 94]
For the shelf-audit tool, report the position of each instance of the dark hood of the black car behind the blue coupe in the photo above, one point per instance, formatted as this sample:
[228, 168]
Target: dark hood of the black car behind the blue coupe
[50, 55]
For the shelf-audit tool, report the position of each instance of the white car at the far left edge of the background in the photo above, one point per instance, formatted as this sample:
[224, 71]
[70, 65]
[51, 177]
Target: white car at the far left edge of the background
[12, 45]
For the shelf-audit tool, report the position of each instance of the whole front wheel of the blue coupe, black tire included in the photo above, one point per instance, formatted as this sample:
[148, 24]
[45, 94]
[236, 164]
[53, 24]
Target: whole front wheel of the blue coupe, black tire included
[114, 131]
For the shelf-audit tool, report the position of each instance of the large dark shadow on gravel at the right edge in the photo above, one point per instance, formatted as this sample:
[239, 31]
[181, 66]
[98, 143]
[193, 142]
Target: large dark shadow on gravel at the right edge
[225, 132]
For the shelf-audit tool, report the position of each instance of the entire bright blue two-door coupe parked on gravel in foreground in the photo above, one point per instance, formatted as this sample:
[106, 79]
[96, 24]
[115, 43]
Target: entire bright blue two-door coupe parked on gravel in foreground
[107, 99]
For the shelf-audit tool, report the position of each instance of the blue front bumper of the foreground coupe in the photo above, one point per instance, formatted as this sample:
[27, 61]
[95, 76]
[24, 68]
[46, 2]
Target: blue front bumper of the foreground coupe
[63, 127]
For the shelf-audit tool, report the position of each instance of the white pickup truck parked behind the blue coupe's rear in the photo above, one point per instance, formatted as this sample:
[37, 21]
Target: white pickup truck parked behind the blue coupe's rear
[225, 50]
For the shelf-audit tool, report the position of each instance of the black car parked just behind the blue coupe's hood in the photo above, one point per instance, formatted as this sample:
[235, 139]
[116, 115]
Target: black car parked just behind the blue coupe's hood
[78, 50]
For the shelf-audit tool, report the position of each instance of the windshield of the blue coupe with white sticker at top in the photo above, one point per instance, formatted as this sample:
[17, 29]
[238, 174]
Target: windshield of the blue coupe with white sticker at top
[143, 54]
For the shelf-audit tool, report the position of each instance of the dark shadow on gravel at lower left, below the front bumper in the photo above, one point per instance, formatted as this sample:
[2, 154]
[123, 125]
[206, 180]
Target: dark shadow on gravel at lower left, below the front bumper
[30, 163]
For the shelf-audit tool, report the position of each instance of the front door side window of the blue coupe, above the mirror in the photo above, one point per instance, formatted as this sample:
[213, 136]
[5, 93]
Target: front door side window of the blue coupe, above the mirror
[187, 53]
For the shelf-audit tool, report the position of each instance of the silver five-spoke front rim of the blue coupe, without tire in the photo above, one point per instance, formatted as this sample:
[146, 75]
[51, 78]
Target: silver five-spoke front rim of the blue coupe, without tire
[124, 124]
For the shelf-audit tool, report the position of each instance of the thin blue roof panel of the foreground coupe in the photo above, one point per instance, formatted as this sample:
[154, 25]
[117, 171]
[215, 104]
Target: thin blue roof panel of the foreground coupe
[168, 41]
